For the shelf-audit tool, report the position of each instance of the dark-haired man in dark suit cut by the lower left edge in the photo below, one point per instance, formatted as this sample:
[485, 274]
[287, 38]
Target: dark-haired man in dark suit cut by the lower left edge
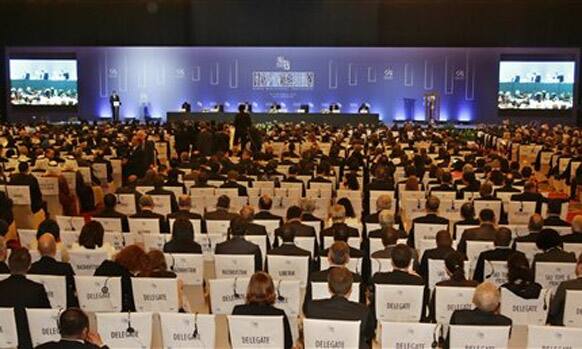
[20, 293]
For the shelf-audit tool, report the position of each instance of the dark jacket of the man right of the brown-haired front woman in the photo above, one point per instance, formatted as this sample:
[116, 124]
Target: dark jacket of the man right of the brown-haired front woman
[339, 308]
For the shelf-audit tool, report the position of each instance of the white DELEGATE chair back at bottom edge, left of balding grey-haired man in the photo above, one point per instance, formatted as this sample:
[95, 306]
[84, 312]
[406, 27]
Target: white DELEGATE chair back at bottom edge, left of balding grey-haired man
[408, 335]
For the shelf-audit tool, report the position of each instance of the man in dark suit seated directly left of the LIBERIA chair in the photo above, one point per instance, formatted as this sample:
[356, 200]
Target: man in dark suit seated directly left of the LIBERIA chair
[238, 245]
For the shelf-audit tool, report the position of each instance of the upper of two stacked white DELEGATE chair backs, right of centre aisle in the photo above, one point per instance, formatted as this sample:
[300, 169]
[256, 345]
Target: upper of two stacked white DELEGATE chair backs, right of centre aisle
[399, 303]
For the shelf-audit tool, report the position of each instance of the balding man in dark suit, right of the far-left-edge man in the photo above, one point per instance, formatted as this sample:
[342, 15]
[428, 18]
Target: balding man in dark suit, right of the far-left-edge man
[48, 265]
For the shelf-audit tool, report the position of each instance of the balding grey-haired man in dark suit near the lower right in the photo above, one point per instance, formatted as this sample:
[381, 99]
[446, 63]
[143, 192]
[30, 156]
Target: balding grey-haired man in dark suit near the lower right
[486, 300]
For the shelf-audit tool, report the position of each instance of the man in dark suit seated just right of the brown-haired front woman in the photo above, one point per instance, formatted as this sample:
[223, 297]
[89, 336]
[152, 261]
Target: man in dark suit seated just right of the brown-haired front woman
[338, 307]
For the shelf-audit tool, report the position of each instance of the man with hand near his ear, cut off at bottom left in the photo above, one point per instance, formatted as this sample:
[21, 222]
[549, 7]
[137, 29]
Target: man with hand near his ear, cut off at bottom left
[75, 334]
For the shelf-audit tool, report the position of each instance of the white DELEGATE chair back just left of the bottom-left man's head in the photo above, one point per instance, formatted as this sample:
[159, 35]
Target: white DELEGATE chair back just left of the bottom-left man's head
[43, 325]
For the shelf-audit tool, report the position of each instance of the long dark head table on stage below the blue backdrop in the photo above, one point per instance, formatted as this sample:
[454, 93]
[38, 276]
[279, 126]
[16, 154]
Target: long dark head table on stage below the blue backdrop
[340, 119]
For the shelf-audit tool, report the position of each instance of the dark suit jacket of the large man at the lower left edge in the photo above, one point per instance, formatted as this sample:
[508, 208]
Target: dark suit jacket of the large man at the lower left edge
[20, 293]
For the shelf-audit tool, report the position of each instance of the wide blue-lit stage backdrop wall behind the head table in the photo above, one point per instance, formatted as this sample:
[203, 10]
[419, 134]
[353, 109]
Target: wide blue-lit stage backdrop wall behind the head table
[154, 80]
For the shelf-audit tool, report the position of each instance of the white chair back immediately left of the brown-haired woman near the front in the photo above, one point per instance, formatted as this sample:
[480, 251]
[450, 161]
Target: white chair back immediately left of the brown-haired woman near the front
[226, 293]
